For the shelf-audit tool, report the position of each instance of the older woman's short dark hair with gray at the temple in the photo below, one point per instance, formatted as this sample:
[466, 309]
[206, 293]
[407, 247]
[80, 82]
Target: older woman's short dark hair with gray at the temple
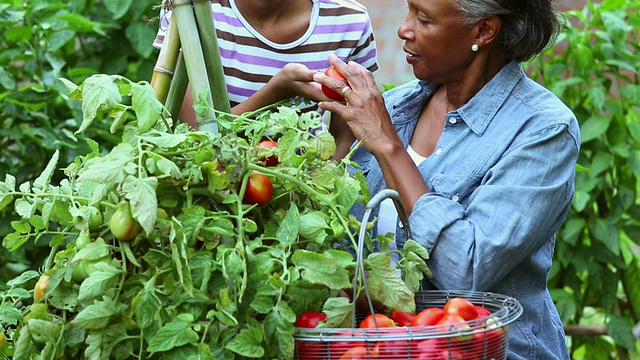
[528, 26]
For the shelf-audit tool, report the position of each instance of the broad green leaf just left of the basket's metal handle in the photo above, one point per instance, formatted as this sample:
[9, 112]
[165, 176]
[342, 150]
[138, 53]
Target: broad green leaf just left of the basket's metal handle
[321, 269]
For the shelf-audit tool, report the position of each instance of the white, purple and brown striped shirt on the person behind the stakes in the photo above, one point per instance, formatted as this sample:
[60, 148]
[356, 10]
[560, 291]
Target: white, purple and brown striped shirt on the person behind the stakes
[341, 27]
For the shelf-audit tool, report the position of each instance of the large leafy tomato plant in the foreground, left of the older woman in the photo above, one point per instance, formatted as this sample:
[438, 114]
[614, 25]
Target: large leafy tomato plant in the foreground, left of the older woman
[223, 279]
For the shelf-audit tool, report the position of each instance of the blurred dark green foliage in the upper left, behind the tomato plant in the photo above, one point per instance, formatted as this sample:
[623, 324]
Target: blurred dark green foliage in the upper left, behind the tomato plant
[40, 42]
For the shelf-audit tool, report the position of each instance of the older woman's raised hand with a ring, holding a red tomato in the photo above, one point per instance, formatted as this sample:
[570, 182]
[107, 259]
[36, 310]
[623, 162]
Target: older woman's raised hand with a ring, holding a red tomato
[364, 110]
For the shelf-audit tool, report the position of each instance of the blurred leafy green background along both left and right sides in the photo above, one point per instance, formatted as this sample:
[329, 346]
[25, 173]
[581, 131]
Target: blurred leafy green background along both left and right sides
[595, 279]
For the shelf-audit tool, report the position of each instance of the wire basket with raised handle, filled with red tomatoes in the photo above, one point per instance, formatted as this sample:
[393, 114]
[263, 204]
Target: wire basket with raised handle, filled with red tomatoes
[466, 325]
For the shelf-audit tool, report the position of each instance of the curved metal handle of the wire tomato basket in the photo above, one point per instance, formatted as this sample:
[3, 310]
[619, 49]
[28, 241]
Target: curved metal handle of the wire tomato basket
[372, 204]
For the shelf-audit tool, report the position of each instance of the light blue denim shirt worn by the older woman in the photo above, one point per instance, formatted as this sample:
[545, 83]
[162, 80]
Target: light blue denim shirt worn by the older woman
[502, 181]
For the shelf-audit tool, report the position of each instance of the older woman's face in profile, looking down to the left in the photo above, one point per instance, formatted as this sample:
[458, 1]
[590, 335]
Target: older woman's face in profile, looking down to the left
[436, 41]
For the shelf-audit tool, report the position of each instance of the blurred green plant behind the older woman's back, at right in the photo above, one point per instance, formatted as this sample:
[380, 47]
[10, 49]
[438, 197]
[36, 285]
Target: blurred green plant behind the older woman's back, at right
[595, 279]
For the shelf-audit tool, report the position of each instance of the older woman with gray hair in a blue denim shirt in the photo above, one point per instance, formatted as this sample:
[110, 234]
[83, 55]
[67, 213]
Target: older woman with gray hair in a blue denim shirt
[482, 156]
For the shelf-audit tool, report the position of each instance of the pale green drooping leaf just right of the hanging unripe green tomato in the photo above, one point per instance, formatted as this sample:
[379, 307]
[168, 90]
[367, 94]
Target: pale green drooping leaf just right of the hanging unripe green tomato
[141, 193]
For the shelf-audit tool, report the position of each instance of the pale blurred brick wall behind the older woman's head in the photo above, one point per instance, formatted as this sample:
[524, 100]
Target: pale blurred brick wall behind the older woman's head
[386, 15]
